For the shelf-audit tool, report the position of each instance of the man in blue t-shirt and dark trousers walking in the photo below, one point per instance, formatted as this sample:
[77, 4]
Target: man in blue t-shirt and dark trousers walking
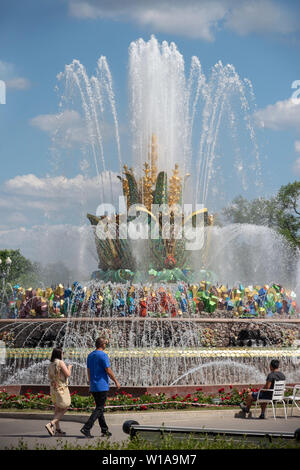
[99, 372]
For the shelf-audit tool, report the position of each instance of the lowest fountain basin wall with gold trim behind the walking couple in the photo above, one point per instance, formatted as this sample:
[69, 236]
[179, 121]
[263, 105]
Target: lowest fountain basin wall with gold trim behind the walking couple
[157, 367]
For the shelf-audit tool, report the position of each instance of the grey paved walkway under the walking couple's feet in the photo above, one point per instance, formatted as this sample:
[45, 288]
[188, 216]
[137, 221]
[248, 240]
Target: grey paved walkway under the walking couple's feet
[31, 429]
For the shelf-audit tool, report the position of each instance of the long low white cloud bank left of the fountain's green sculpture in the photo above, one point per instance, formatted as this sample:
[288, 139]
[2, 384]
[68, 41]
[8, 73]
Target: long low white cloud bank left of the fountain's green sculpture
[57, 199]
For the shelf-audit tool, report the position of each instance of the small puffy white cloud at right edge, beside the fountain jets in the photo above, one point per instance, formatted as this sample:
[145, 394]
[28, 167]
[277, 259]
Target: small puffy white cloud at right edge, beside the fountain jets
[281, 115]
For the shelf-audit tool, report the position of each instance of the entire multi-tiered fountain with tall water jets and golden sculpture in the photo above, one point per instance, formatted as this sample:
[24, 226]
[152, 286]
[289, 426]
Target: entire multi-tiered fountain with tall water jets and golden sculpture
[170, 116]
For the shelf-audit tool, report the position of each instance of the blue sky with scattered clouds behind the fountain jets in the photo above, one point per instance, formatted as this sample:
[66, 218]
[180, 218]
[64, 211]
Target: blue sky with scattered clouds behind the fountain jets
[261, 38]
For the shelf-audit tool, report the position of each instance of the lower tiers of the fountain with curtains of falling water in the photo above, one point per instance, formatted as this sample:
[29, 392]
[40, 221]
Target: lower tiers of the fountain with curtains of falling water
[165, 347]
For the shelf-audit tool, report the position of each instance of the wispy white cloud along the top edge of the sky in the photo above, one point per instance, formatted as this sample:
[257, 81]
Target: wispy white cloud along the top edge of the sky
[194, 18]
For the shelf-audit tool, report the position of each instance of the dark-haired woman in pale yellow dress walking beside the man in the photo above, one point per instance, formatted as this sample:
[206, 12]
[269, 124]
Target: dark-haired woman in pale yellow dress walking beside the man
[58, 374]
